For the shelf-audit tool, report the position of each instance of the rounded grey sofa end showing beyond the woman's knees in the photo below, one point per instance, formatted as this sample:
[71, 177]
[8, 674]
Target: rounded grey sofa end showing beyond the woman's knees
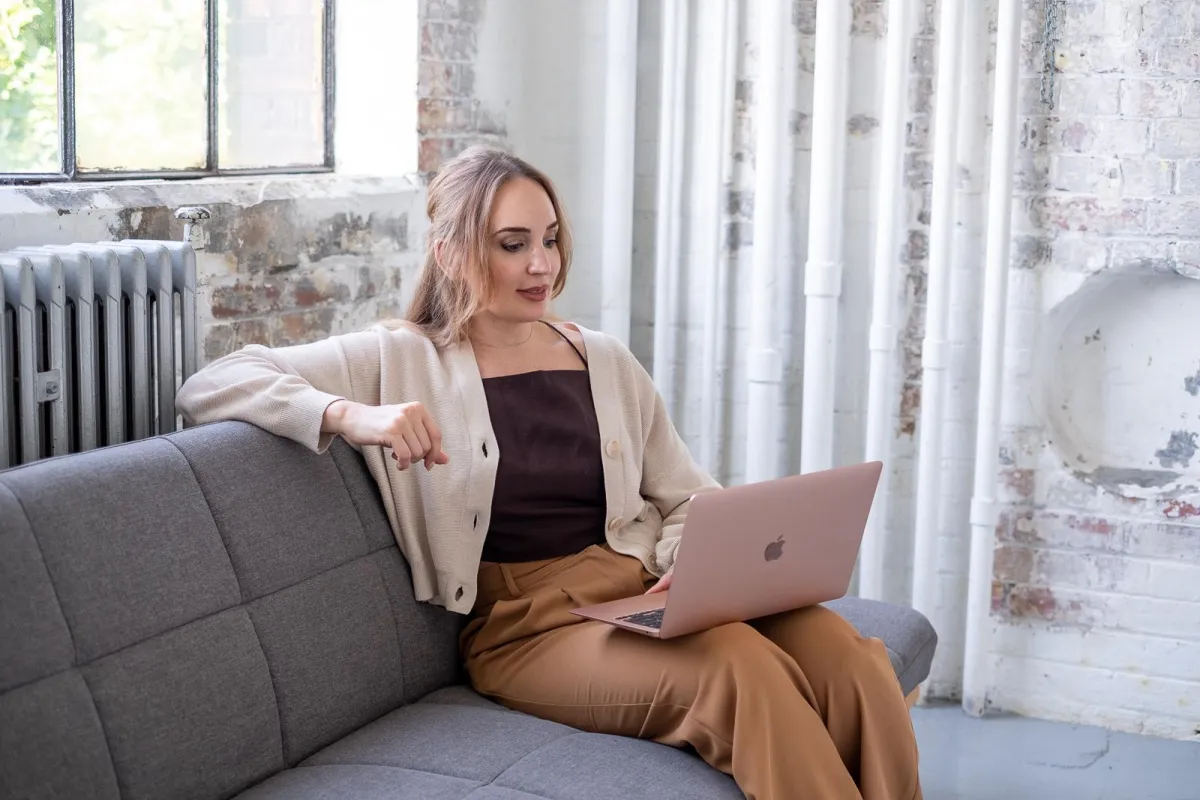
[905, 633]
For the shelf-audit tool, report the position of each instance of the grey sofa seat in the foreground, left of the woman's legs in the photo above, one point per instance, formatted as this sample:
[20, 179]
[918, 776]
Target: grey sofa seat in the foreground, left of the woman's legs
[455, 745]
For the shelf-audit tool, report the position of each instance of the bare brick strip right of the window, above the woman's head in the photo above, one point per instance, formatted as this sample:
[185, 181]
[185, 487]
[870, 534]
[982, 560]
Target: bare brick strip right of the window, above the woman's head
[451, 117]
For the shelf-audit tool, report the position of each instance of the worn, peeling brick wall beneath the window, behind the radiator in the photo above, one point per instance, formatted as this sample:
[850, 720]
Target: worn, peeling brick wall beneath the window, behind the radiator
[286, 261]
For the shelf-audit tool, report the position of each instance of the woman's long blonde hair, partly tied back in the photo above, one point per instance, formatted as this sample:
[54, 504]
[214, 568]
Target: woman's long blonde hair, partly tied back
[454, 288]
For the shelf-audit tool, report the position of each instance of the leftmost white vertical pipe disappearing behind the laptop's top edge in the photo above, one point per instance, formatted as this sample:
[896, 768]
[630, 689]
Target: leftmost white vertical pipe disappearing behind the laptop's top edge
[776, 101]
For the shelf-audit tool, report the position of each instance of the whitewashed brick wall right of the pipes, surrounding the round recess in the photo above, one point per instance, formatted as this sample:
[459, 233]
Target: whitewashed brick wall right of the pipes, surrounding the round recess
[1096, 590]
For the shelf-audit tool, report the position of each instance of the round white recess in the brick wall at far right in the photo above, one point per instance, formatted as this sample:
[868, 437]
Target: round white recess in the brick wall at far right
[1118, 383]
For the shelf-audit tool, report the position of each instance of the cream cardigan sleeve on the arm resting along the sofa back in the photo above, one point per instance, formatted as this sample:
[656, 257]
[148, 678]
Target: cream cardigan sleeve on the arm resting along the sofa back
[285, 390]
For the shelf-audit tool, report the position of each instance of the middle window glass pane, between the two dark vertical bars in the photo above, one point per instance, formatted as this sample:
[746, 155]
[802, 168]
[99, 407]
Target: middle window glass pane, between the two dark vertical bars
[141, 85]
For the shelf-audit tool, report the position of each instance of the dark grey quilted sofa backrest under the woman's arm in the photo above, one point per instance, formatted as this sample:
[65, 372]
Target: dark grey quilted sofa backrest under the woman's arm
[184, 616]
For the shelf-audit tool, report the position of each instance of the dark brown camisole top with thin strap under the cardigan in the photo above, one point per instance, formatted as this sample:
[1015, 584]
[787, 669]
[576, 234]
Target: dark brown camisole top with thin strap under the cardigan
[550, 498]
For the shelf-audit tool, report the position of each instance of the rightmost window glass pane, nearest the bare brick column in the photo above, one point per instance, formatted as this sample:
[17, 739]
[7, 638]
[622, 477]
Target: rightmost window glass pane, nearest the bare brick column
[271, 81]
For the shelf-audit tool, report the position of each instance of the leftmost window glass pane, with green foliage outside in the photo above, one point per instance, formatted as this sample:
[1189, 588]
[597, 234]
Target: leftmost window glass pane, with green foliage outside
[29, 88]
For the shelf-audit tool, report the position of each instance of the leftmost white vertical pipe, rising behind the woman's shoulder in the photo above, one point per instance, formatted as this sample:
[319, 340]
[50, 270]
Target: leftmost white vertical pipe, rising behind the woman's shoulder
[621, 103]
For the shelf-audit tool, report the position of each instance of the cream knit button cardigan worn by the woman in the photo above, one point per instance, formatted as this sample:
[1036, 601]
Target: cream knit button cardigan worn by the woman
[441, 518]
